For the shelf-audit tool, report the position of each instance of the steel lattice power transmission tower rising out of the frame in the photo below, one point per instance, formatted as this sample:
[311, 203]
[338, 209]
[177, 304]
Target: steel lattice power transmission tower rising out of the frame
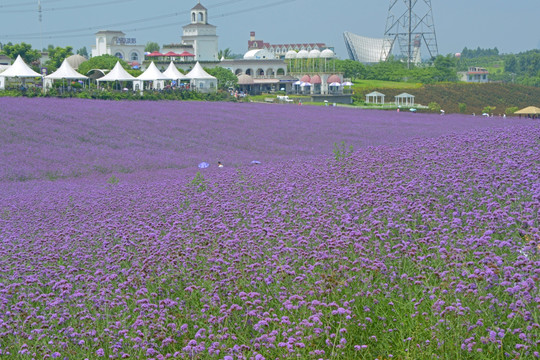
[408, 25]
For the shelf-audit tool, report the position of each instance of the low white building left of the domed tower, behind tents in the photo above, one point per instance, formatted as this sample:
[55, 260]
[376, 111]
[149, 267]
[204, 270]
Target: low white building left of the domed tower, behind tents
[115, 43]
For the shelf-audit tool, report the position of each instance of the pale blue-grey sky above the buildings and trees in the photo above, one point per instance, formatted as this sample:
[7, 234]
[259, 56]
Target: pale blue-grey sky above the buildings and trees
[511, 26]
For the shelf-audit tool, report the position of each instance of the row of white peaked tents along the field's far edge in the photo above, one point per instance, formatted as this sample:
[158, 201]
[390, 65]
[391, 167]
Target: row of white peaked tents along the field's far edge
[197, 77]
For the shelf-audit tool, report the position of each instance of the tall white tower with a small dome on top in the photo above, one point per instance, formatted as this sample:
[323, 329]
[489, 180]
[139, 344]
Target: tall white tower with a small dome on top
[201, 35]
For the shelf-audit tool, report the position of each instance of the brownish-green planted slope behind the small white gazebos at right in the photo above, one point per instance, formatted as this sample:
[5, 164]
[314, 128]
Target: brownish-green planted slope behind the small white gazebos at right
[475, 96]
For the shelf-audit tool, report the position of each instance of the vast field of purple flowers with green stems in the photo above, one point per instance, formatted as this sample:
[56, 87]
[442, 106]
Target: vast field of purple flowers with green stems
[424, 243]
